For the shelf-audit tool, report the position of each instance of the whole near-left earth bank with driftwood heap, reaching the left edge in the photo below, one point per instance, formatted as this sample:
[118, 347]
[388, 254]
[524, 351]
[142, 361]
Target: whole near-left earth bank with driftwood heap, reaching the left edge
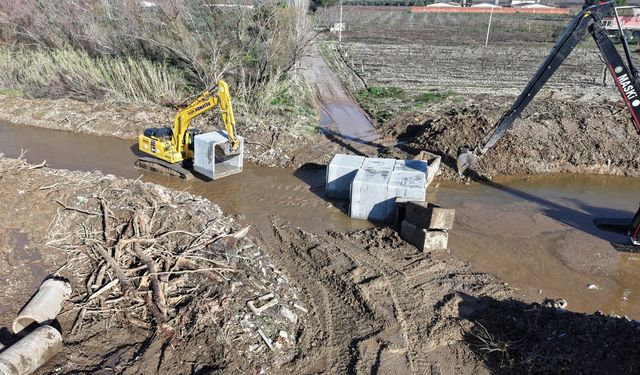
[161, 278]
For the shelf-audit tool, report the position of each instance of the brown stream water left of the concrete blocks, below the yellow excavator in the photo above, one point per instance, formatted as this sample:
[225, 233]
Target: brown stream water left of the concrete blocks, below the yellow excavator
[257, 192]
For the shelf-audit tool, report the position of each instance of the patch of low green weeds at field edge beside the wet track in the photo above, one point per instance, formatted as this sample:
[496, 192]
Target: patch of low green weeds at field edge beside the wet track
[382, 103]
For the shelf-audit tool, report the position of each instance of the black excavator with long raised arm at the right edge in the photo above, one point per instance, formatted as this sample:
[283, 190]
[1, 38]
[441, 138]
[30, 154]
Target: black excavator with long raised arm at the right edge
[624, 73]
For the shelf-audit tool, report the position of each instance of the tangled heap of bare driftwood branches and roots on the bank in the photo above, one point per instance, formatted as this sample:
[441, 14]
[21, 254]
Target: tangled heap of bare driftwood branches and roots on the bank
[156, 258]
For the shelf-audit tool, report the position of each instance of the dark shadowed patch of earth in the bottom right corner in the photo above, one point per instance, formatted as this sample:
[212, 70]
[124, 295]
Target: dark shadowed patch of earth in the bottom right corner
[515, 337]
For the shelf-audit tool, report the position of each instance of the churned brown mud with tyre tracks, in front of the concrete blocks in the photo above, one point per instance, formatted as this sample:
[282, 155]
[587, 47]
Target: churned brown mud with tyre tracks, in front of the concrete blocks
[376, 304]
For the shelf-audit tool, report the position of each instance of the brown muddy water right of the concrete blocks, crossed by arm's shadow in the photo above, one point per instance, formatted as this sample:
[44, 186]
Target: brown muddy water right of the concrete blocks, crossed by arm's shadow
[537, 233]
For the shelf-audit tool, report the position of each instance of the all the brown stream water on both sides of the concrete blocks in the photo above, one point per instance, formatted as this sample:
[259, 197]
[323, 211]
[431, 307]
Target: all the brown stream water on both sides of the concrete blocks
[533, 232]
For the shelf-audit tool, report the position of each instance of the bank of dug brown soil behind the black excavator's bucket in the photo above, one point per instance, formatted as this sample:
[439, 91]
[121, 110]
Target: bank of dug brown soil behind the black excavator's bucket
[555, 134]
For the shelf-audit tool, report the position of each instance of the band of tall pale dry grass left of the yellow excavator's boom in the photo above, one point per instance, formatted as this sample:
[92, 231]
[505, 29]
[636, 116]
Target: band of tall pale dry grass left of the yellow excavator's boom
[68, 72]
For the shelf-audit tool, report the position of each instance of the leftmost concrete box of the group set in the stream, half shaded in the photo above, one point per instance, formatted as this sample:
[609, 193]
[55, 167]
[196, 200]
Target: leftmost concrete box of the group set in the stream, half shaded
[340, 174]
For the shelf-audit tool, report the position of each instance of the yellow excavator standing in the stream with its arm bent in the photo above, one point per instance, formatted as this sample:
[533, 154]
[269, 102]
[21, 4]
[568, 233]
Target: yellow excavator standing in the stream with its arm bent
[172, 149]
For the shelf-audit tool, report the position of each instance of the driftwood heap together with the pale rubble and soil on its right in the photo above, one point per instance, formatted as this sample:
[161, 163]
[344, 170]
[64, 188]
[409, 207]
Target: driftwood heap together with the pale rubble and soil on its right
[170, 267]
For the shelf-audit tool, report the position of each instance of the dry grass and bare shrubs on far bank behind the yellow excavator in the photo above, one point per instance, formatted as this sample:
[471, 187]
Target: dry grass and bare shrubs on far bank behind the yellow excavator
[125, 51]
